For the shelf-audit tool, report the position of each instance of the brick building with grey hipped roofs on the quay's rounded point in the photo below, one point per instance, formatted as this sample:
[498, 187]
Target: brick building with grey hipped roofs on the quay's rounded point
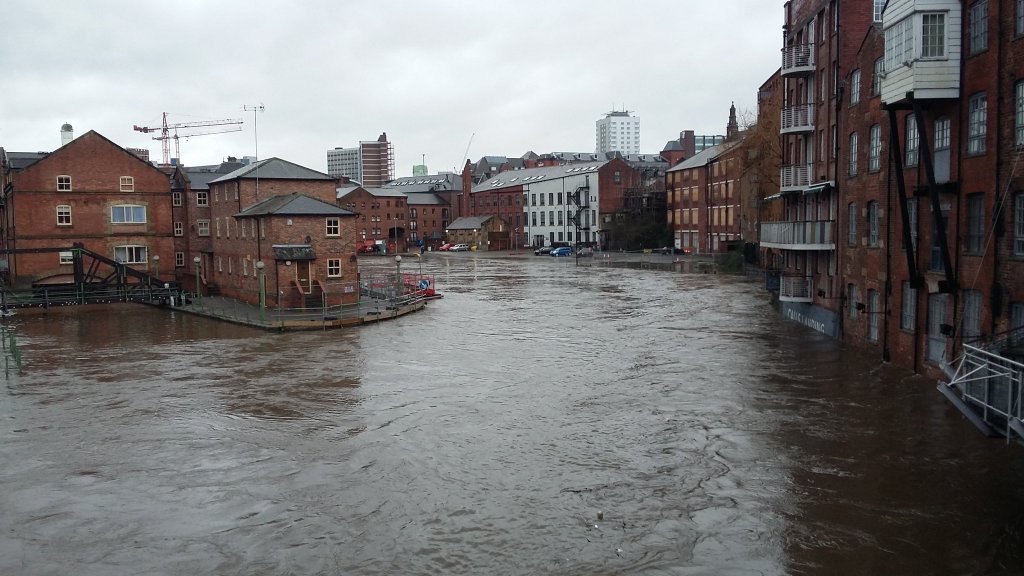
[285, 217]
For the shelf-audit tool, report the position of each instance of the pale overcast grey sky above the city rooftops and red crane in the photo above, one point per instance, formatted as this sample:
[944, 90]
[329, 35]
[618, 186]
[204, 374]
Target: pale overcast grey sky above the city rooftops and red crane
[511, 76]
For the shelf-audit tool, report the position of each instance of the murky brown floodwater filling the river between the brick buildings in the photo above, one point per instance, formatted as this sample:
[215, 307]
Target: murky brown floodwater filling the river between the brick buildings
[542, 419]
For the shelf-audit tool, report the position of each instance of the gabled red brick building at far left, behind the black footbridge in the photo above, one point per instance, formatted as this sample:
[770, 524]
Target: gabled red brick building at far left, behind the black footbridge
[94, 173]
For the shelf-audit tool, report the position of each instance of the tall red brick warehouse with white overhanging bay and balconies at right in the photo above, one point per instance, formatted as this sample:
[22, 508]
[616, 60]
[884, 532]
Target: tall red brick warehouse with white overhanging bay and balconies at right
[915, 243]
